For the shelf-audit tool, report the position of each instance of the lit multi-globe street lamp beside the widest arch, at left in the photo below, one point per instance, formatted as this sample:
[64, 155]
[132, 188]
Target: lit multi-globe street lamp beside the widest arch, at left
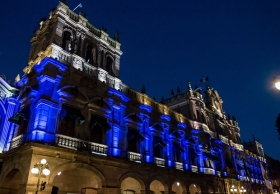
[40, 168]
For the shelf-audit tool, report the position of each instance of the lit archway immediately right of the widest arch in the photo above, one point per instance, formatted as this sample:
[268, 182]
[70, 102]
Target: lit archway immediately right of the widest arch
[130, 186]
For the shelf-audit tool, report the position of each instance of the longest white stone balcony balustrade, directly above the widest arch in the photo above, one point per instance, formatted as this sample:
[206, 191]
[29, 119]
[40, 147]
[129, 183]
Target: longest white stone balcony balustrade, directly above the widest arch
[77, 144]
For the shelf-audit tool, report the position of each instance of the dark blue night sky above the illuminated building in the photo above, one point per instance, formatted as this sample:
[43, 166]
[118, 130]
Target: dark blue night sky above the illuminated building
[168, 43]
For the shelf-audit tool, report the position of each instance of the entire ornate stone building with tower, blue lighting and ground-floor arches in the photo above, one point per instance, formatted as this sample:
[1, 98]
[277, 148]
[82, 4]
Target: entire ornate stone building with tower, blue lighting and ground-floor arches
[100, 136]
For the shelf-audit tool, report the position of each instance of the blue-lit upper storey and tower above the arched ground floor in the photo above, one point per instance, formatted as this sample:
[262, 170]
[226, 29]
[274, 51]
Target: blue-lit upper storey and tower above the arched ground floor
[70, 96]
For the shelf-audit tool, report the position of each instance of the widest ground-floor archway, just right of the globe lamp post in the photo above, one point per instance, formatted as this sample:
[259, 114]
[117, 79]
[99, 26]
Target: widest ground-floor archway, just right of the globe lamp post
[77, 180]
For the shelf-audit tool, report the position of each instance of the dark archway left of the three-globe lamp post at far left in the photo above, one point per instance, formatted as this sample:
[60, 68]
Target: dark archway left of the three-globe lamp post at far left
[12, 182]
